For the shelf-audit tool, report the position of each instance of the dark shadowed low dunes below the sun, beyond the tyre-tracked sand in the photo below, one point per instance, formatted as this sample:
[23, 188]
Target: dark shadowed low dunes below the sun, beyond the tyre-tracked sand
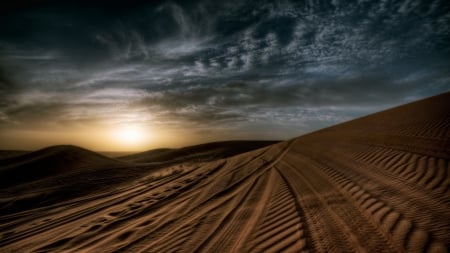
[60, 173]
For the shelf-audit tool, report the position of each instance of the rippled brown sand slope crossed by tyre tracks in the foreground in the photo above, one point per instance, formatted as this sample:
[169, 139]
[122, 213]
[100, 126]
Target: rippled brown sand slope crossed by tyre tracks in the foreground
[376, 184]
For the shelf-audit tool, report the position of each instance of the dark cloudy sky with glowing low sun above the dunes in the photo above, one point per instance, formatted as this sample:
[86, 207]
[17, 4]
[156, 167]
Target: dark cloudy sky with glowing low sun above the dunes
[136, 75]
